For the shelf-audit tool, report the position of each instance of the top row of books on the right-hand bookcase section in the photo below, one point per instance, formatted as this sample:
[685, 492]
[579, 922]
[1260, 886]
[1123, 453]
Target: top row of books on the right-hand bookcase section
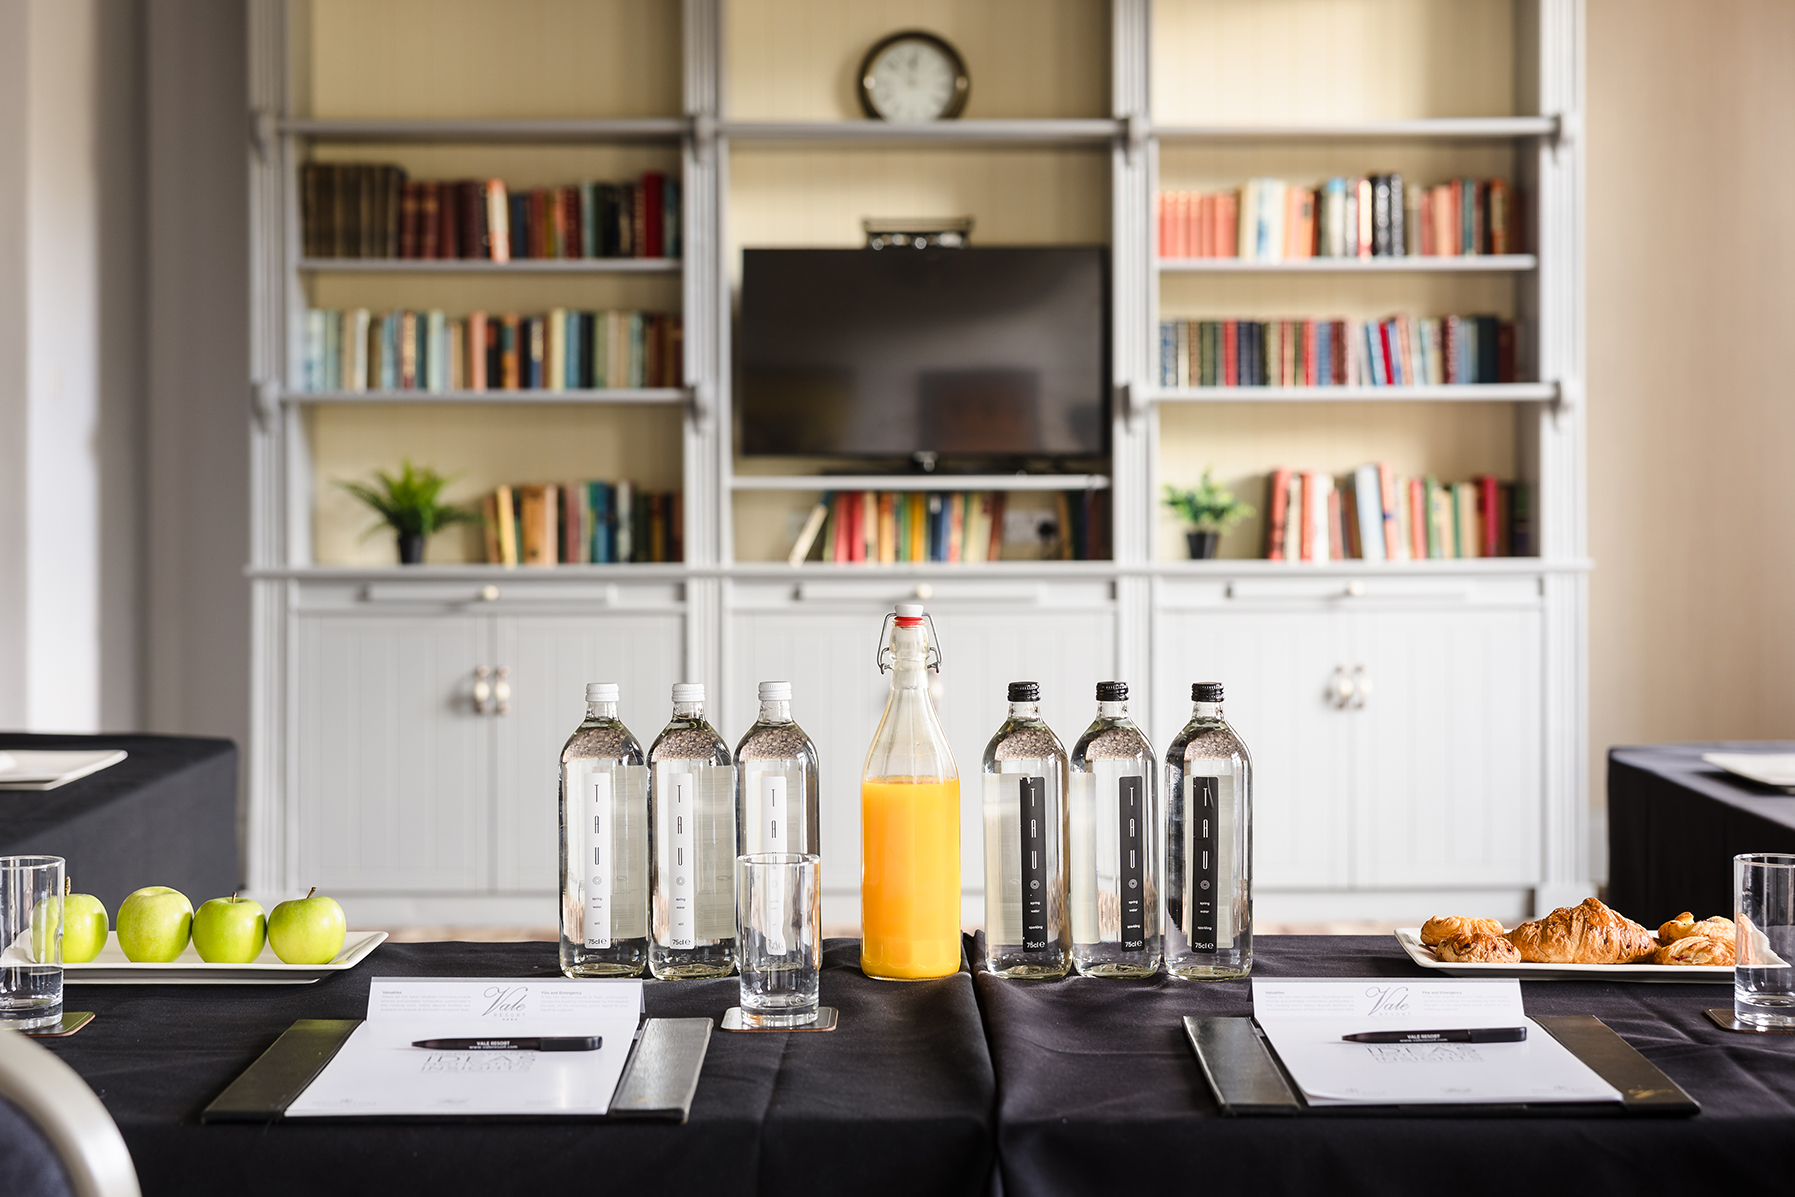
[1365, 218]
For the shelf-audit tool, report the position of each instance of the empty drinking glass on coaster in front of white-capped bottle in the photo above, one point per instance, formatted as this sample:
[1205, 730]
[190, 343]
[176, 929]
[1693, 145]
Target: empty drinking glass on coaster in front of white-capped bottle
[780, 938]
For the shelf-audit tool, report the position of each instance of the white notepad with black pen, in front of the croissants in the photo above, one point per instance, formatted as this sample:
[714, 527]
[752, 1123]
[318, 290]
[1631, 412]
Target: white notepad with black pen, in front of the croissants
[1306, 1022]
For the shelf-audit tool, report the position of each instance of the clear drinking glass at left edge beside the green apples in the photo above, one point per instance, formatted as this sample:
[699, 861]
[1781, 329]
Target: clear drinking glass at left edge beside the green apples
[31, 941]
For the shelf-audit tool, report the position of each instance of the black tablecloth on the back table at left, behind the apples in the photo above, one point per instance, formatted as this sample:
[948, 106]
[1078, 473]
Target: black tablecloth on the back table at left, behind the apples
[164, 816]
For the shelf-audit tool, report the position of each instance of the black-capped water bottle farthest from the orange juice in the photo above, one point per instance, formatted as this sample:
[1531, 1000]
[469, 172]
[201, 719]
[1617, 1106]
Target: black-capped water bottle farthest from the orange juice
[1209, 846]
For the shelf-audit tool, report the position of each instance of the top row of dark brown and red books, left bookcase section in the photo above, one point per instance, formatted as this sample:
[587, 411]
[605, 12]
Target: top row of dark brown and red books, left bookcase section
[372, 211]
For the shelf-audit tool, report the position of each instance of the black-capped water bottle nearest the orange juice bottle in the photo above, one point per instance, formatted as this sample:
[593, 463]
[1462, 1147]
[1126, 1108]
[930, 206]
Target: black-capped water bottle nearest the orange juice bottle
[1028, 934]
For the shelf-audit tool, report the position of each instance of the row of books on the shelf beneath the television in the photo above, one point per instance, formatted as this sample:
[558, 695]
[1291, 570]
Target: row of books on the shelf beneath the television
[884, 529]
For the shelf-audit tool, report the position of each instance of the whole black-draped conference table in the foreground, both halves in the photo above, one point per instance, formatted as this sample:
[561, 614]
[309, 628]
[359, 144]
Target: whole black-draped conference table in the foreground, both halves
[968, 1085]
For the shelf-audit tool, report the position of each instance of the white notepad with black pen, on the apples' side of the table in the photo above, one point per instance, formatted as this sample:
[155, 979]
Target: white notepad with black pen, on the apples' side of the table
[378, 1072]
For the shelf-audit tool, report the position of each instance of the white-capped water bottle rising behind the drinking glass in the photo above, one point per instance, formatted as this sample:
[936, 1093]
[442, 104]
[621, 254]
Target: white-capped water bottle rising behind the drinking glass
[776, 782]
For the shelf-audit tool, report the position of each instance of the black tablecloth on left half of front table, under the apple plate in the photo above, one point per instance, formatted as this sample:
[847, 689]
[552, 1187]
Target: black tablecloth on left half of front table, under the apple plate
[898, 1101]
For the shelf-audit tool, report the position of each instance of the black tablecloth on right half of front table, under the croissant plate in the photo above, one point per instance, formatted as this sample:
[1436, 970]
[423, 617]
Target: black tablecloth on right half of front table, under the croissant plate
[1099, 1092]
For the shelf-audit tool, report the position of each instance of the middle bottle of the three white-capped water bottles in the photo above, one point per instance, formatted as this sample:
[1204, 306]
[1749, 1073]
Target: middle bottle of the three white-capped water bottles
[692, 826]
